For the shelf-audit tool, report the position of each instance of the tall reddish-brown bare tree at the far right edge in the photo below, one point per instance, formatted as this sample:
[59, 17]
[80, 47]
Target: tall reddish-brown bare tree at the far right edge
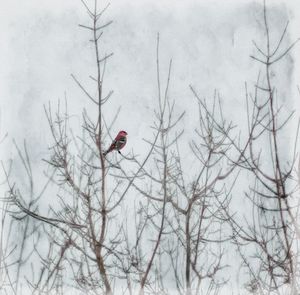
[267, 240]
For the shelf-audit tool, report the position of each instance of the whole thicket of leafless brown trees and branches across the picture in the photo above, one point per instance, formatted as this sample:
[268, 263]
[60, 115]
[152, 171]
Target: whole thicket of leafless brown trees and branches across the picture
[153, 223]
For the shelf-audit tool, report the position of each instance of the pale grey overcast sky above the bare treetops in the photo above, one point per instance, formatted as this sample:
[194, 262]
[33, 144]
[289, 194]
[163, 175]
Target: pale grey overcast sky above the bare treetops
[209, 42]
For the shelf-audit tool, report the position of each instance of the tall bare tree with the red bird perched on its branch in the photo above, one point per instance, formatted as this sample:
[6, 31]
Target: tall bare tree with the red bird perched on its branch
[84, 237]
